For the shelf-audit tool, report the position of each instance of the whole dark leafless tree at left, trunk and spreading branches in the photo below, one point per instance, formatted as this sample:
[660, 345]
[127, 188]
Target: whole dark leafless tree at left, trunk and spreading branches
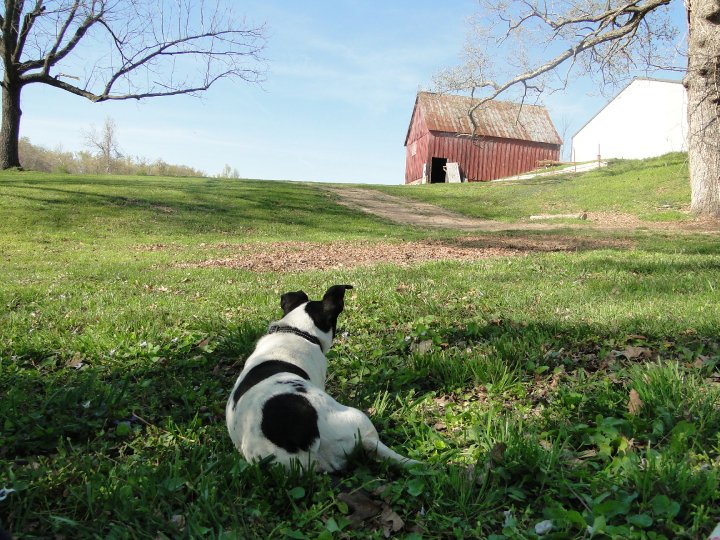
[119, 49]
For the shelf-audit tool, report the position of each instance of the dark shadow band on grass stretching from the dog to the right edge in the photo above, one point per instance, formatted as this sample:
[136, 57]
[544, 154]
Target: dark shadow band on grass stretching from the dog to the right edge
[501, 352]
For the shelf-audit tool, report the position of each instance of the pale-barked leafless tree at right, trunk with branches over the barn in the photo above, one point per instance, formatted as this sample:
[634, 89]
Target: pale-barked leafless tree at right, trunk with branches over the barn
[606, 39]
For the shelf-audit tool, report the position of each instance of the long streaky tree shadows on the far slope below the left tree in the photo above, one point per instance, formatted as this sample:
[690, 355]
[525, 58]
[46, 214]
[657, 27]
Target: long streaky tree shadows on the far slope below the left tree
[192, 209]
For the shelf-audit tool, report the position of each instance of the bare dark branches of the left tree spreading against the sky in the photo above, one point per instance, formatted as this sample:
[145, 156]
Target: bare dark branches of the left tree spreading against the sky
[154, 49]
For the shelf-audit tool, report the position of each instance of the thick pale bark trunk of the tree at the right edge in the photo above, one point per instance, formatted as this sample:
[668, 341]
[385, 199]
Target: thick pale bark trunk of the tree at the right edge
[703, 85]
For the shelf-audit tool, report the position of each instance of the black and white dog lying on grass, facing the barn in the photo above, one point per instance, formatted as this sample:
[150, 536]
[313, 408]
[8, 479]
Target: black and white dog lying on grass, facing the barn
[278, 406]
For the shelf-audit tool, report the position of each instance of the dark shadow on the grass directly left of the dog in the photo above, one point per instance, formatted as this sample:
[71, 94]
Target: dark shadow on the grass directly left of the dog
[79, 402]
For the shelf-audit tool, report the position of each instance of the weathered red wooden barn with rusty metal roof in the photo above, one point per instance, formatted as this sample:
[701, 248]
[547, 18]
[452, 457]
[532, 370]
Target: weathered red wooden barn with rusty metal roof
[510, 139]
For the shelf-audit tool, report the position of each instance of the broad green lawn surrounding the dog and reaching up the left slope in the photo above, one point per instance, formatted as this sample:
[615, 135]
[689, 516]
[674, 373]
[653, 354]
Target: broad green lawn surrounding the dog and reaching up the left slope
[509, 378]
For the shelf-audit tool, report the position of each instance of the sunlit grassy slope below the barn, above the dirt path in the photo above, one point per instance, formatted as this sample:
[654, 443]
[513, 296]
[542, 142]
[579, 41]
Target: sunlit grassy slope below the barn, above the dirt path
[654, 189]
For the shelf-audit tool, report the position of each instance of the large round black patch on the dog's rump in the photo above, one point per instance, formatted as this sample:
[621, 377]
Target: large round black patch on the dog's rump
[290, 422]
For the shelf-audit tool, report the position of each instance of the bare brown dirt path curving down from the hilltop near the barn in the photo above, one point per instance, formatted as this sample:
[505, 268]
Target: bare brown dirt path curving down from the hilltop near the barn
[410, 212]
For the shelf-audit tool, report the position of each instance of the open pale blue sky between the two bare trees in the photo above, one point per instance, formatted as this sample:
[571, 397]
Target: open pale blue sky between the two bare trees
[335, 106]
